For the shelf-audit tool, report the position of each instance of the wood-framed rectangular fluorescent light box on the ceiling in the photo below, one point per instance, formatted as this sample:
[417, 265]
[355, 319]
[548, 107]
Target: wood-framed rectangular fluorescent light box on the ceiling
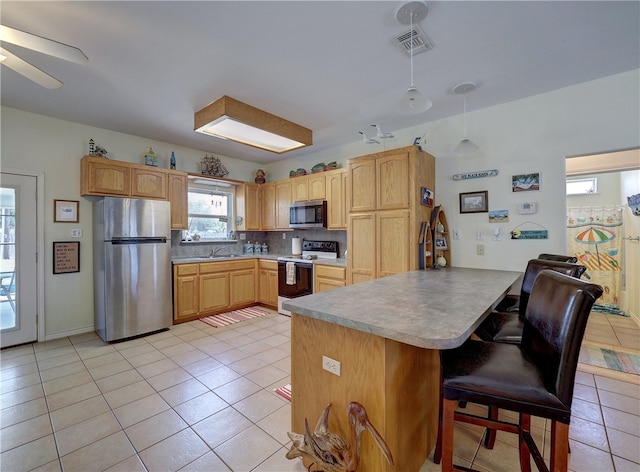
[227, 118]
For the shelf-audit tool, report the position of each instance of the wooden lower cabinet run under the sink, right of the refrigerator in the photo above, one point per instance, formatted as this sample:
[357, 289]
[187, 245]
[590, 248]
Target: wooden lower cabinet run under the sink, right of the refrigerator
[208, 288]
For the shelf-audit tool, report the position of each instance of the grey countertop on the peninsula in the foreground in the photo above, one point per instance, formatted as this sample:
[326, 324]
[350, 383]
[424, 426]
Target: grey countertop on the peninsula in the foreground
[435, 309]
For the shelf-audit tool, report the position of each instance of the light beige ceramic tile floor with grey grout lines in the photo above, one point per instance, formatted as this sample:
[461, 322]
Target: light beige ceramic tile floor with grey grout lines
[197, 398]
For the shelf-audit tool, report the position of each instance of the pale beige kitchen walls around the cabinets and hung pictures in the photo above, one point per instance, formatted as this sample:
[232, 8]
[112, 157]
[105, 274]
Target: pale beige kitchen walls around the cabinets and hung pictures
[530, 135]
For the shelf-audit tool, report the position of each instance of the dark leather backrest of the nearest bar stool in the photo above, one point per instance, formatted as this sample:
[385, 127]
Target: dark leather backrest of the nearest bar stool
[551, 337]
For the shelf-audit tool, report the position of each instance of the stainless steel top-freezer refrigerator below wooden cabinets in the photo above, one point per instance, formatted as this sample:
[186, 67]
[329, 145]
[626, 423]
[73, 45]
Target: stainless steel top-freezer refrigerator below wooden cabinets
[132, 267]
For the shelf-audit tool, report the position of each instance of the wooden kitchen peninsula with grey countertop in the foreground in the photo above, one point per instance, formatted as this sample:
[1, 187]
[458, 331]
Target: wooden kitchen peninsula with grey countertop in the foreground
[386, 334]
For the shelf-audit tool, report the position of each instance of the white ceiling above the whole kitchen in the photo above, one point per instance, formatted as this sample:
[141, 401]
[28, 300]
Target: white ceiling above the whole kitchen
[328, 65]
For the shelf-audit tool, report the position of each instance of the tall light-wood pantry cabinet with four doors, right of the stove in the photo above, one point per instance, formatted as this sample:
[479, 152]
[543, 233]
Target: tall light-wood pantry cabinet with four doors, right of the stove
[385, 211]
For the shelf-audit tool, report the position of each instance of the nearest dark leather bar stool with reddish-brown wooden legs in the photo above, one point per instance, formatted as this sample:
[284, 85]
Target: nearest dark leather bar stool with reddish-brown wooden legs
[534, 378]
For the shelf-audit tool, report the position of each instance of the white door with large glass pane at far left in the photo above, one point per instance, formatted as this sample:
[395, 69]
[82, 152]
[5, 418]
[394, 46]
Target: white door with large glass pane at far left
[18, 260]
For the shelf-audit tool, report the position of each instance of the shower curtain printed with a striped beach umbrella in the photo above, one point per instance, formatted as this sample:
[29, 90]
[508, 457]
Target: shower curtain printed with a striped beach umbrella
[594, 236]
